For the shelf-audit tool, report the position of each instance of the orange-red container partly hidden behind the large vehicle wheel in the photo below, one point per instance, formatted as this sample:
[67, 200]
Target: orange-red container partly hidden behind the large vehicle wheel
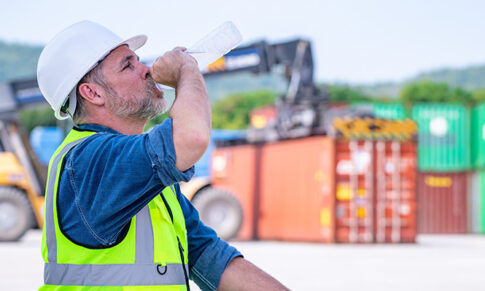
[235, 169]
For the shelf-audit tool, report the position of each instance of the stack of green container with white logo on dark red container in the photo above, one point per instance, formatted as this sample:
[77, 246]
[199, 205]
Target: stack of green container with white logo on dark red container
[443, 162]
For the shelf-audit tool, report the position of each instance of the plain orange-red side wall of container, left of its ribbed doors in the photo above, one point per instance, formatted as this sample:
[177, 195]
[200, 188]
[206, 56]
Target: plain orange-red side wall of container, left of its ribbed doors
[296, 191]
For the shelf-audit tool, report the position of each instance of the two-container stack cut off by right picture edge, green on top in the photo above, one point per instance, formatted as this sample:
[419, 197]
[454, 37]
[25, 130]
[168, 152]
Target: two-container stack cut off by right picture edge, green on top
[477, 186]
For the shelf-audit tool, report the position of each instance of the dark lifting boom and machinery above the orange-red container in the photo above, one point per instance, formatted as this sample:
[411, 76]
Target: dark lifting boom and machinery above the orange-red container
[298, 113]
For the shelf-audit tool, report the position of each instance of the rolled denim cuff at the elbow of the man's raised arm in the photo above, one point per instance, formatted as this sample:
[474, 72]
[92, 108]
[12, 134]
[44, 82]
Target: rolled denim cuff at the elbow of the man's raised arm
[161, 151]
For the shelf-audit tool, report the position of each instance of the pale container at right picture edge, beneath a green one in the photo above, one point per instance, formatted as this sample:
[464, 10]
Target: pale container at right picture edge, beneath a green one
[476, 203]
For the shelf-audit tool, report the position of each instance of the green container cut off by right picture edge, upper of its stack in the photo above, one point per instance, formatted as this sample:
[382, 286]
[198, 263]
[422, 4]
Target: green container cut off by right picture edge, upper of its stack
[478, 136]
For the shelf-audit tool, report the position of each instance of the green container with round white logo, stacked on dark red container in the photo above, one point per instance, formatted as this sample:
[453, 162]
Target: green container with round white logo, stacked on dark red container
[443, 137]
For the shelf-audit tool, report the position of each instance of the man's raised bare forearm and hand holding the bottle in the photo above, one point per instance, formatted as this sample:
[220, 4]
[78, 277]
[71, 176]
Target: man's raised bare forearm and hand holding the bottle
[191, 111]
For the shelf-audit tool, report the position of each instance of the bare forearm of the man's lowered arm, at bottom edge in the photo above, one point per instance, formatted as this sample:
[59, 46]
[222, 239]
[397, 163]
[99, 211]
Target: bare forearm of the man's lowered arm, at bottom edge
[241, 274]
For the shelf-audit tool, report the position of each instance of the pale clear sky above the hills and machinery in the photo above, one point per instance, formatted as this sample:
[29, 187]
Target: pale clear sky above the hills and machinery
[364, 41]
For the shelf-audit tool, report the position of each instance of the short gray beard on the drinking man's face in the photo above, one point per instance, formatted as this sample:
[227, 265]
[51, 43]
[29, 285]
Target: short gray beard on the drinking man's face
[143, 108]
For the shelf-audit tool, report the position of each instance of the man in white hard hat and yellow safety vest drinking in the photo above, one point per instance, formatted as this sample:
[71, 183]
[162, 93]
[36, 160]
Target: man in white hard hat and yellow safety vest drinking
[115, 217]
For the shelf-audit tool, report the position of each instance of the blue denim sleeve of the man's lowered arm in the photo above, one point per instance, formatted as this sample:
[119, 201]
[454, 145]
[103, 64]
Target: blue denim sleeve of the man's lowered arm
[208, 254]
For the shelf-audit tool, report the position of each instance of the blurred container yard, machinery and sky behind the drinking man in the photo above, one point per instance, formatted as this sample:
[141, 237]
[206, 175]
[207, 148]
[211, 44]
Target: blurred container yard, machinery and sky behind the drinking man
[348, 148]
